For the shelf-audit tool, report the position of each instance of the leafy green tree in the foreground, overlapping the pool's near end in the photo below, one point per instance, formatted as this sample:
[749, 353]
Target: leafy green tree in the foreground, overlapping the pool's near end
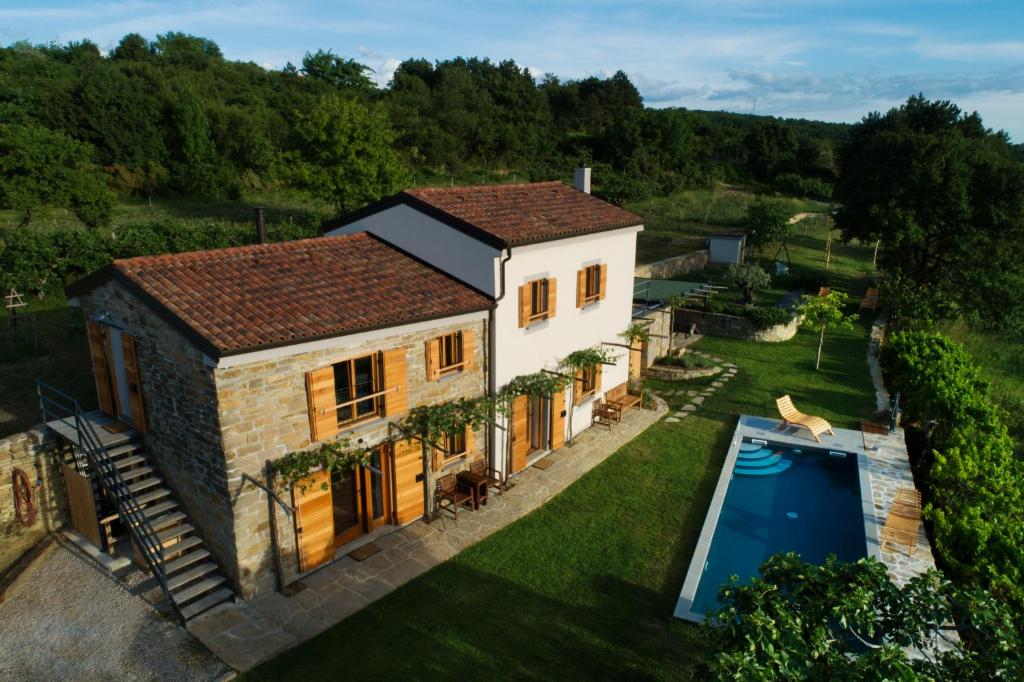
[849, 622]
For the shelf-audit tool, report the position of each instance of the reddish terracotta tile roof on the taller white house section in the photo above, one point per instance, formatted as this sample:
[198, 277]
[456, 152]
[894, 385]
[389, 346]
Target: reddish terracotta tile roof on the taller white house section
[526, 214]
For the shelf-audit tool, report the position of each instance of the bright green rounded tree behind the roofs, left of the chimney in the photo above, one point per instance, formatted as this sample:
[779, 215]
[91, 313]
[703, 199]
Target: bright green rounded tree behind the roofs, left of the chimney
[346, 153]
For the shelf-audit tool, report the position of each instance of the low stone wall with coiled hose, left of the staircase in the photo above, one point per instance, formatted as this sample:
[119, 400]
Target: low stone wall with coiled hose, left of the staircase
[36, 452]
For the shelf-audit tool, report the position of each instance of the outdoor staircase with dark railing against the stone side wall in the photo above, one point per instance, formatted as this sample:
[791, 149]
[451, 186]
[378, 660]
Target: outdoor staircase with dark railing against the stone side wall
[146, 505]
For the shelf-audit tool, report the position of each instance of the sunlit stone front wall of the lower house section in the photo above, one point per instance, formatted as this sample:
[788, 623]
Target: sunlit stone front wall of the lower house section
[265, 415]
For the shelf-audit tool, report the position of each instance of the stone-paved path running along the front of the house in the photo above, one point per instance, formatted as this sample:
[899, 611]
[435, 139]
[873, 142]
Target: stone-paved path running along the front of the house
[247, 633]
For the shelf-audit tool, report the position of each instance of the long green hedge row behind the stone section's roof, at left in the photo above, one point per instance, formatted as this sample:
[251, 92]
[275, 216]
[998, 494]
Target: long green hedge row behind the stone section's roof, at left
[46, 261]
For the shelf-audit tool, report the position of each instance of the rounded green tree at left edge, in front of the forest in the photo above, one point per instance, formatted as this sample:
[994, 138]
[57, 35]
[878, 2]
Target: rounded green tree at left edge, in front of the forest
[39, 166]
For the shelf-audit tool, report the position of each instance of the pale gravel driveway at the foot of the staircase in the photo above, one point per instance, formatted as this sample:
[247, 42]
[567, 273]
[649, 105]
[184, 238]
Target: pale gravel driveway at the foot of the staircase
[67, 619]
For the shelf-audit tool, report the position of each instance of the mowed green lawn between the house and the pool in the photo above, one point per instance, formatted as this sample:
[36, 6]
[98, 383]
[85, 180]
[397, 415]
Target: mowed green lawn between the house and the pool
[584, 587]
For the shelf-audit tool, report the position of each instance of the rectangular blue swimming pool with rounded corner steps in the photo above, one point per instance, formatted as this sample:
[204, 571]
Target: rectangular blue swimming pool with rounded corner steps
[784, 494]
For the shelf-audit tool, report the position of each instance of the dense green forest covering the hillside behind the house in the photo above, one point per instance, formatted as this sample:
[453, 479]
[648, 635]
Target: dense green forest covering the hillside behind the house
[173, 117]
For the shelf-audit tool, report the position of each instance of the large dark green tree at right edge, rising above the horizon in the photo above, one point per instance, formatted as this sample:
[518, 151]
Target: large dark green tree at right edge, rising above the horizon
[946, 197]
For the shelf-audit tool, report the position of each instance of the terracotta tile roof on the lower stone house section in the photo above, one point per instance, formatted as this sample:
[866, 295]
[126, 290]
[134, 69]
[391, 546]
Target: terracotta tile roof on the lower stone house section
[244, 299]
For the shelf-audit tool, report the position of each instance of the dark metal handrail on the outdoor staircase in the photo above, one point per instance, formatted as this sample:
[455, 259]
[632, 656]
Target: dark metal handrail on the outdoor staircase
[69, 412]
